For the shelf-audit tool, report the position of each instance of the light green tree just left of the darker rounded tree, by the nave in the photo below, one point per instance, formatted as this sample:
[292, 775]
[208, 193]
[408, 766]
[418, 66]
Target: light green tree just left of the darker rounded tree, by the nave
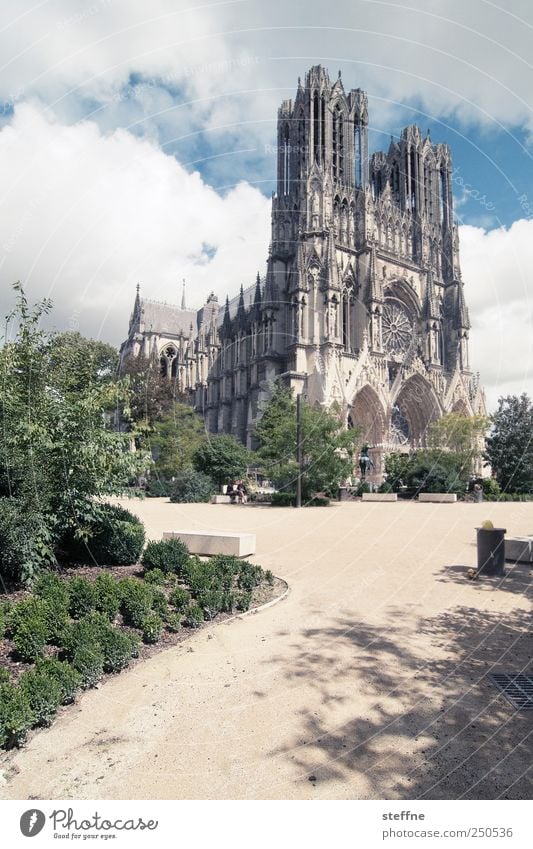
[175, 438]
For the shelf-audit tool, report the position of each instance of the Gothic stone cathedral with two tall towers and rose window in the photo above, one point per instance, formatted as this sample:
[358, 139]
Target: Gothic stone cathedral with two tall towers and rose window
[362, 303]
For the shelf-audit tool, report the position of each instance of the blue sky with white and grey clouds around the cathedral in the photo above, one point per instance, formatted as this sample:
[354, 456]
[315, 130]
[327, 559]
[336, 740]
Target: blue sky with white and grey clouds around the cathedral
[136, 145]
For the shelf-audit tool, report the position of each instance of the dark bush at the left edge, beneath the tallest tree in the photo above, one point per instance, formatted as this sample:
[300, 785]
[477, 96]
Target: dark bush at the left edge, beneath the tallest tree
[26, 541]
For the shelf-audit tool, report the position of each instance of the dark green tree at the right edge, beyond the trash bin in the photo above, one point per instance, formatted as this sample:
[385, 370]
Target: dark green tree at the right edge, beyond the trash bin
[509, 447]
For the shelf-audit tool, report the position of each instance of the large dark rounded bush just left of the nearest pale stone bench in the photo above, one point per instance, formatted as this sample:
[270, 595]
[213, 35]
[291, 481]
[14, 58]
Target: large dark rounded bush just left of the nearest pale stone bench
[115, 538]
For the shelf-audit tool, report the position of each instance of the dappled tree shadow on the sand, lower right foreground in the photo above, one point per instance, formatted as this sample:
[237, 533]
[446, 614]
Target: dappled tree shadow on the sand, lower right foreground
[426, 724]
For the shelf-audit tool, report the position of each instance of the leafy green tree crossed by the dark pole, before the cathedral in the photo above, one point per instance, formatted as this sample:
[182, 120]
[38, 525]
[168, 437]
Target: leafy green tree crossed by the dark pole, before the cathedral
[327, 446]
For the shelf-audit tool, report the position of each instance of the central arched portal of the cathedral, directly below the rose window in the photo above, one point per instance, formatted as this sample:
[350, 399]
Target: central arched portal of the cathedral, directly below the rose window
[415, 407]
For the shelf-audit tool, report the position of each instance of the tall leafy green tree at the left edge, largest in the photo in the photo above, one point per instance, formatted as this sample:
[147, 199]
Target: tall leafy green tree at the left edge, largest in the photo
[58, 448]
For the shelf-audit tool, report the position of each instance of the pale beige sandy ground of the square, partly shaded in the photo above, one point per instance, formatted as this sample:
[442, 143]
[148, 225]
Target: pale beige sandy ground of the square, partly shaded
[367, 681]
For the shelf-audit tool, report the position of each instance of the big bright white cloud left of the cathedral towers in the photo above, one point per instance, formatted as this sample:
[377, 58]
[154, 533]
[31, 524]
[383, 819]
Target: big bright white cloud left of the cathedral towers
[84, 216]
